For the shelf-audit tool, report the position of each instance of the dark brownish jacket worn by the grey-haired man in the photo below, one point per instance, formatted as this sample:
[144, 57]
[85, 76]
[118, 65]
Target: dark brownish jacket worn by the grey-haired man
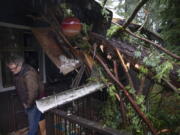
[28, 85]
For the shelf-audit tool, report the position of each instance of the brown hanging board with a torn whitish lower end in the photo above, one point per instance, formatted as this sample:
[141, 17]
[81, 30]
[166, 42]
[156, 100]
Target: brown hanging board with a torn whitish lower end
[53, 50]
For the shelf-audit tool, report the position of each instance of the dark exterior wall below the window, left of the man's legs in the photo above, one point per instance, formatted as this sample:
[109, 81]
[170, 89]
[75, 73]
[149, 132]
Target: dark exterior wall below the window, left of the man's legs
[12, 115]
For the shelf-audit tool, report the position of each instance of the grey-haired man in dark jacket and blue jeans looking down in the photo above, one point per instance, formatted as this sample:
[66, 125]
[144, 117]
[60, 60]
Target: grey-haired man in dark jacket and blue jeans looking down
[29, 88]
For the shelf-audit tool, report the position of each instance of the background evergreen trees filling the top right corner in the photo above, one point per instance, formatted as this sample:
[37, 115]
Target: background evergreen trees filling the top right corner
[164, 17]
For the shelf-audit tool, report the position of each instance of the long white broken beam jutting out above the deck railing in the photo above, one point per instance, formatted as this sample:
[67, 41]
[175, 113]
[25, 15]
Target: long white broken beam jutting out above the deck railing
[53, 101]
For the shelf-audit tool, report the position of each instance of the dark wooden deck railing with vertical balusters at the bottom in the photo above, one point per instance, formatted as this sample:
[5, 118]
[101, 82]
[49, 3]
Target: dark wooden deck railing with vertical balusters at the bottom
[62, 123]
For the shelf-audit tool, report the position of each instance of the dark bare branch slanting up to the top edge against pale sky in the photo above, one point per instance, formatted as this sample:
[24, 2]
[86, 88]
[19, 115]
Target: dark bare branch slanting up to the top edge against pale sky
[140, 4]
